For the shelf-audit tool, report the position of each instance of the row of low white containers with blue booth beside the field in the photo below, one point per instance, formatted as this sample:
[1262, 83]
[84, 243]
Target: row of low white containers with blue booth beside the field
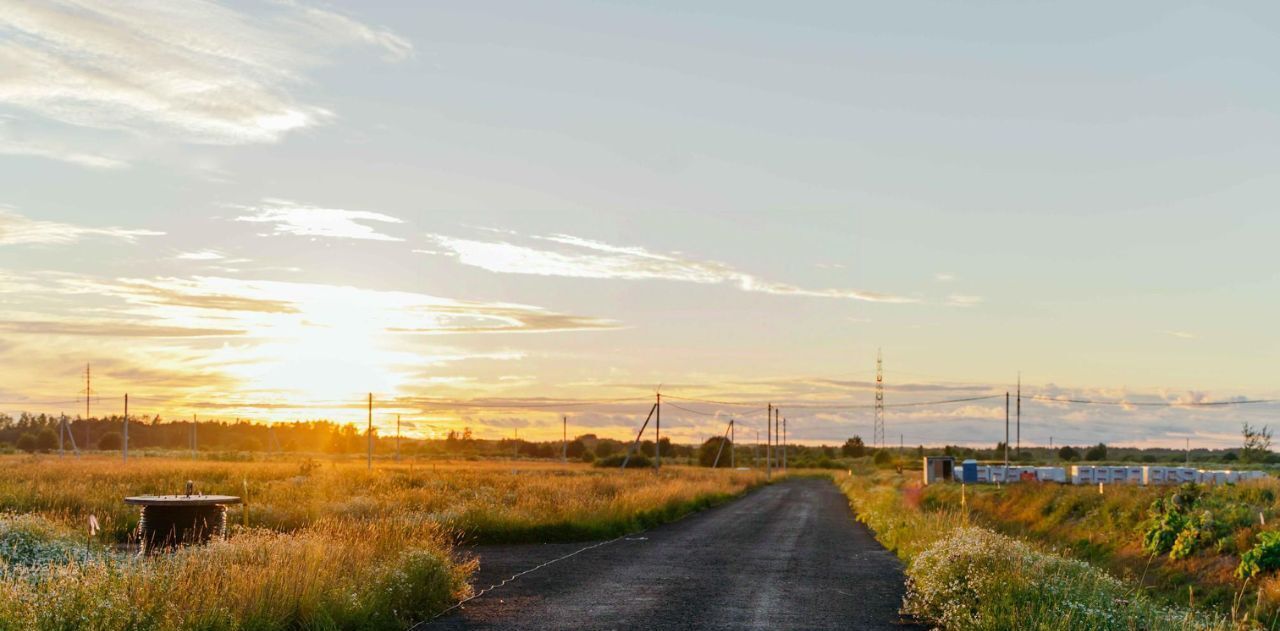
[971, 472]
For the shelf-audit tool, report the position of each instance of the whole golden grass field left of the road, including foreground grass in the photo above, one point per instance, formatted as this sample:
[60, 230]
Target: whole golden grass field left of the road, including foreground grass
[330, 545]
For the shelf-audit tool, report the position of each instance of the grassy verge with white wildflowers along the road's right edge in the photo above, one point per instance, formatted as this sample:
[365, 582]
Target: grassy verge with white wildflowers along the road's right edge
[964, 577]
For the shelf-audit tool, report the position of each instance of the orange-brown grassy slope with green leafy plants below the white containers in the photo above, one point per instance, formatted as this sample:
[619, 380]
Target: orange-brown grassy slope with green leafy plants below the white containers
[1185, 557]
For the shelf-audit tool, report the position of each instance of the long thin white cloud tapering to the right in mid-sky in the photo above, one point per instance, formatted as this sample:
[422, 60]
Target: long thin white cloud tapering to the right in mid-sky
[579, 258]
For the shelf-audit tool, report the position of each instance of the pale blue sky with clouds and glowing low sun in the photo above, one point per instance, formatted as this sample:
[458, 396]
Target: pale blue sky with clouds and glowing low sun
[496, 214]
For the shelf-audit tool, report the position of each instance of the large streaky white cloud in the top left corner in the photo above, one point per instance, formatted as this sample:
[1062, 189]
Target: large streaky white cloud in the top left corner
[188, 70]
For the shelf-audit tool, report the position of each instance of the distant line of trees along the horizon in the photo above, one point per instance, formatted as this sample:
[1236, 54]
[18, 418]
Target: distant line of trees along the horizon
[40, 433]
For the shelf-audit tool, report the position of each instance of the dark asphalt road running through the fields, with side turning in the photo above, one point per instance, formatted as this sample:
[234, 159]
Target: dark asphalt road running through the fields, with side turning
[788, 556]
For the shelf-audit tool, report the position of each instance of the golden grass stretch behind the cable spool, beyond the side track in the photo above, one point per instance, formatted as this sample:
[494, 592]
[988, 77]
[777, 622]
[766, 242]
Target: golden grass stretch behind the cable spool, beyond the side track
[481, 502]
